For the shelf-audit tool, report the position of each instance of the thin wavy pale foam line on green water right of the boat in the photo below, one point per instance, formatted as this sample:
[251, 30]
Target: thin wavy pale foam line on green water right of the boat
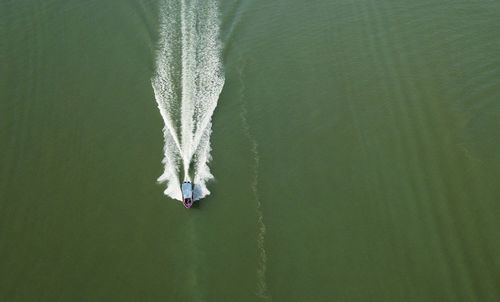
[262, 266]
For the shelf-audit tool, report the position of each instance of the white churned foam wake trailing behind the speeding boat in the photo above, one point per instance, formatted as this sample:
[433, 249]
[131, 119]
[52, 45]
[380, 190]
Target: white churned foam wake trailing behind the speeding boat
[187, 84]
